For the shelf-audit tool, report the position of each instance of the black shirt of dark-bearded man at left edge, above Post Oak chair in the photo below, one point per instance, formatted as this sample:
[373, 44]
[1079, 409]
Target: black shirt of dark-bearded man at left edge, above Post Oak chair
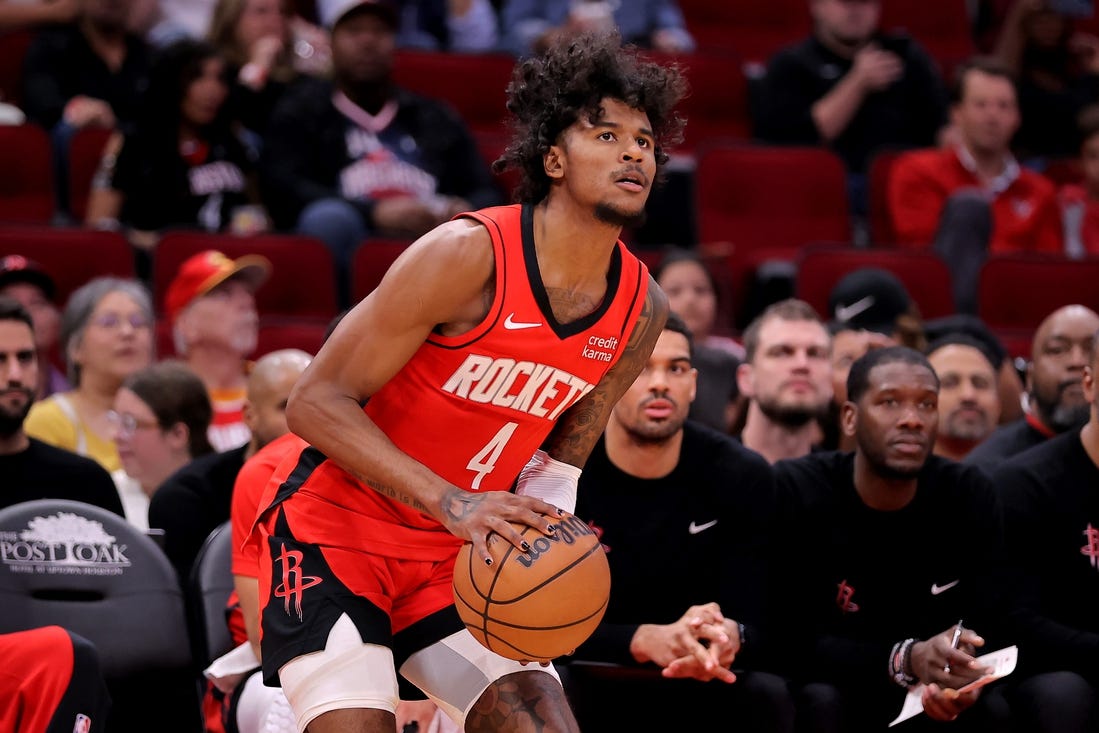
[45, 472]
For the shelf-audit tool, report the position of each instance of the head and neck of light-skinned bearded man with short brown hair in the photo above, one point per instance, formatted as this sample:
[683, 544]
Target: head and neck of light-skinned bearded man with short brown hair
[787, 379]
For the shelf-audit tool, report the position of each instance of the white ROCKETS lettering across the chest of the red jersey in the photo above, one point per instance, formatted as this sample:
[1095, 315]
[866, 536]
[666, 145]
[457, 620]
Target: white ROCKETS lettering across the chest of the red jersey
[536, 390]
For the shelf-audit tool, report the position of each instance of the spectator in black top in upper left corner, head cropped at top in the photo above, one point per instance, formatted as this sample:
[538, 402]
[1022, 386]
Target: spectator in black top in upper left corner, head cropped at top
[91, 73]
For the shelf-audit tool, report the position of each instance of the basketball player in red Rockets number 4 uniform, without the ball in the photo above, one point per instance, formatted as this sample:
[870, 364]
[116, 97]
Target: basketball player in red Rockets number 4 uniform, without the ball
[493, 351]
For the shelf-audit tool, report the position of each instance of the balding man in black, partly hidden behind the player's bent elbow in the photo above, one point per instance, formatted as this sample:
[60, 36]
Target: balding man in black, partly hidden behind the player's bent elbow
[196, 499]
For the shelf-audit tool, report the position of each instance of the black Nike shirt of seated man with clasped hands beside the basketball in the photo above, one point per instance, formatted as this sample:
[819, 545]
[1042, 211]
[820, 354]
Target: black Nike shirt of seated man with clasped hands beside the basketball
[693, 537]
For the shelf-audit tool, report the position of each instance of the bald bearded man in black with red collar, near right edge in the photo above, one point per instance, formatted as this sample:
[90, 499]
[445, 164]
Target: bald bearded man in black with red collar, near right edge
[1054, 392]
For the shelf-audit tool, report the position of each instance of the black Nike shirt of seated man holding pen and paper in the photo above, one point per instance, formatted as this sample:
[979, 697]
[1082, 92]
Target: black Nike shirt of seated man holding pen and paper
[858, 581]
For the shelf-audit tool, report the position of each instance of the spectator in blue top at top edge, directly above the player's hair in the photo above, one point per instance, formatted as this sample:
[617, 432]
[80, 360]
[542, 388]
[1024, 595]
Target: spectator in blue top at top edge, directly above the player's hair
[534, 26]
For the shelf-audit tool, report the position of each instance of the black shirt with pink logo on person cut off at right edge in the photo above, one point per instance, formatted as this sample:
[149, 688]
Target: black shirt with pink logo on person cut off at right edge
[1051, 506]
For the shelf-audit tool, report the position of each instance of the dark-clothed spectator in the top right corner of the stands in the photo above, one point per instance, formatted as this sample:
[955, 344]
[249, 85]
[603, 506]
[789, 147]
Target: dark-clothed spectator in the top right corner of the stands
[1058, 74]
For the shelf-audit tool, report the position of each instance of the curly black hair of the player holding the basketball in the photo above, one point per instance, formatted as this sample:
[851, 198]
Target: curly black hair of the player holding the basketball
[548, 94]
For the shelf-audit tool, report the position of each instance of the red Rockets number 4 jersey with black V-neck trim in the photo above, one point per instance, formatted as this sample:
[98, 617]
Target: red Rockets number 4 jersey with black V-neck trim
[474, 408]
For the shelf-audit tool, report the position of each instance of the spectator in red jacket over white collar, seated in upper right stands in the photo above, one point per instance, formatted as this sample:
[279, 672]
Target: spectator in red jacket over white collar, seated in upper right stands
[973, 199]
